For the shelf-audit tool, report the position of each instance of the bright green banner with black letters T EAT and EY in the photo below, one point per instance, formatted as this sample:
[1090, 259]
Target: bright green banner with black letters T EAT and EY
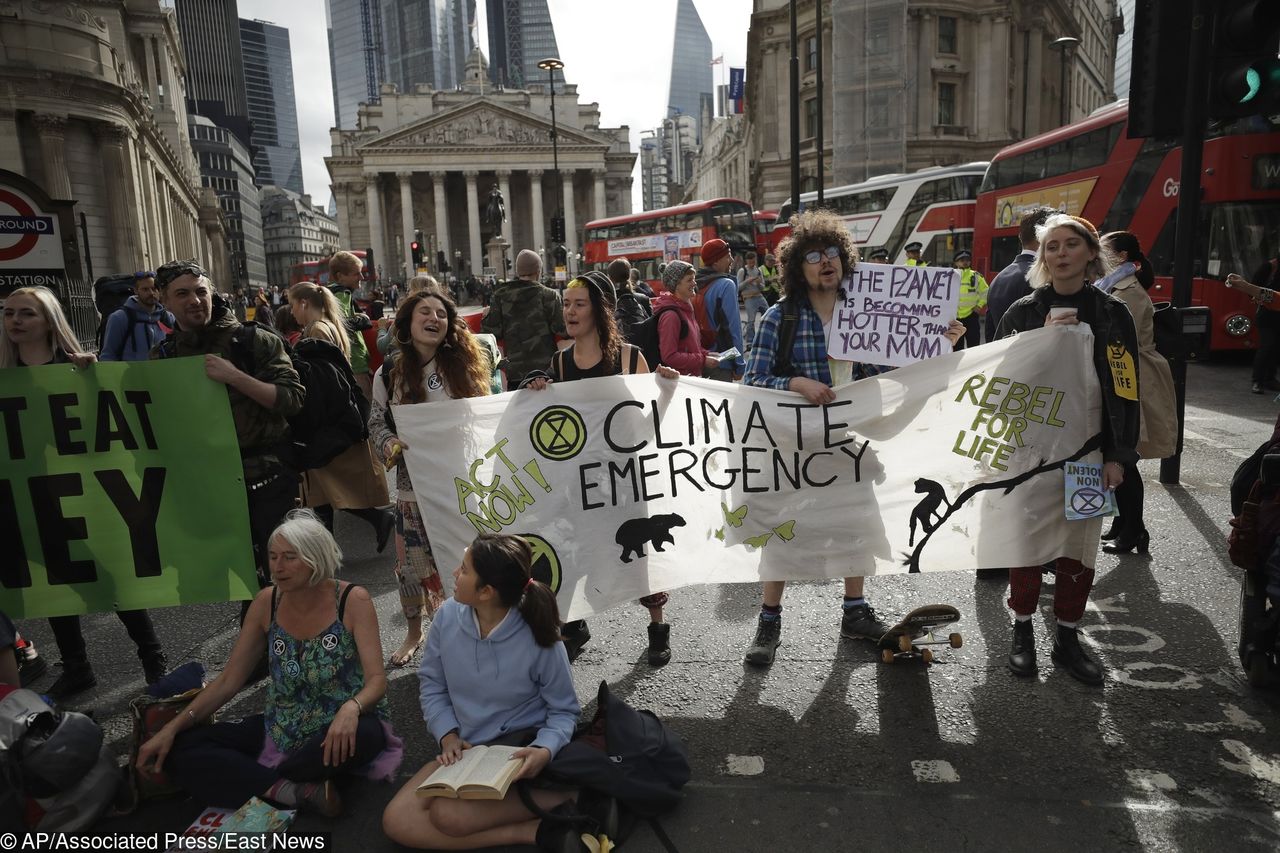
[122, 490]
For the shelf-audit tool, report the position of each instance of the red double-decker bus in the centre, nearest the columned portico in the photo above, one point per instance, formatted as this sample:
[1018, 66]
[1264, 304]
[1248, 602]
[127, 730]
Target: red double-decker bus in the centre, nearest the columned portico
[653, 238]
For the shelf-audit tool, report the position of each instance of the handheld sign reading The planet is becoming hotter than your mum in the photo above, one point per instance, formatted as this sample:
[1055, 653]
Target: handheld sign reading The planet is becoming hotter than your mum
[894, 316]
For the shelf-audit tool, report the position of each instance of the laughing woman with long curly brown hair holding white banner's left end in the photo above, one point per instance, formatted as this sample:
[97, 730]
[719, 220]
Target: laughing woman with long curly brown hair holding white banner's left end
[437, 359]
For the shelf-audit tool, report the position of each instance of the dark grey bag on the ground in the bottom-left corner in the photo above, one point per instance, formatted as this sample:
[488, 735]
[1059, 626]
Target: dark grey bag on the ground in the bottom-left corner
[56, 772]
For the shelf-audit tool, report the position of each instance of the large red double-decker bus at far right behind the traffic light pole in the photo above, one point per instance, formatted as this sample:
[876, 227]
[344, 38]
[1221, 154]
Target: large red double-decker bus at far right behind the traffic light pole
[1092, 170]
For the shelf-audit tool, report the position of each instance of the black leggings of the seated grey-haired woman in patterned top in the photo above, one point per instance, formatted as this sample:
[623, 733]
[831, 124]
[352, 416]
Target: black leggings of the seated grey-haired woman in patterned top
[218, 765]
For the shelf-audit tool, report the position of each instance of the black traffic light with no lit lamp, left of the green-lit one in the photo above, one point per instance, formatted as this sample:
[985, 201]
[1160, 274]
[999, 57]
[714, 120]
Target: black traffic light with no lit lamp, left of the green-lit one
[1158, 80]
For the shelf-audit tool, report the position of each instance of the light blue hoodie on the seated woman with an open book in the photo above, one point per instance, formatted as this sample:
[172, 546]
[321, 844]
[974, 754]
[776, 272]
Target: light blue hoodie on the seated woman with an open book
[487, 688]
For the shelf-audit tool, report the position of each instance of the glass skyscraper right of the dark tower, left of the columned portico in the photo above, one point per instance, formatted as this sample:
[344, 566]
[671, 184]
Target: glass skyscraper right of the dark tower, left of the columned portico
[272, 106]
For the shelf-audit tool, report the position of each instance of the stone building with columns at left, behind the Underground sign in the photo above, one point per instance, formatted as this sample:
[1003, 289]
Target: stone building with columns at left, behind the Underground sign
[92, 110]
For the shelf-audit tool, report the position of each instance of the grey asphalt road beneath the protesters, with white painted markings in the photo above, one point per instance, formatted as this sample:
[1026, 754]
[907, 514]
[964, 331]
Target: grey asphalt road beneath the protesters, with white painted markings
[833, 751]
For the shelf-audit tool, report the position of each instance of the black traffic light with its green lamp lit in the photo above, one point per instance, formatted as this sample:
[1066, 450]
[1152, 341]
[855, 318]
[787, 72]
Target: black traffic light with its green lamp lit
[1245, 74]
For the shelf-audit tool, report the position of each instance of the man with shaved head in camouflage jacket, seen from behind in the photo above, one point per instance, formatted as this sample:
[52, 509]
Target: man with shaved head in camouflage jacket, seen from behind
[527, 317]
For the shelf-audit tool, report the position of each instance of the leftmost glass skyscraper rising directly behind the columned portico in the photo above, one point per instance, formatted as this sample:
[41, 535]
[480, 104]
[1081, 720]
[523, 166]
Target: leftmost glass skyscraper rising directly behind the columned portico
[355, 56]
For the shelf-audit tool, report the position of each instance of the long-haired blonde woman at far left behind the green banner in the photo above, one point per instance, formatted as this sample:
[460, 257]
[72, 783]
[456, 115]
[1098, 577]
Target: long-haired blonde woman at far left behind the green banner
[35, 332]
